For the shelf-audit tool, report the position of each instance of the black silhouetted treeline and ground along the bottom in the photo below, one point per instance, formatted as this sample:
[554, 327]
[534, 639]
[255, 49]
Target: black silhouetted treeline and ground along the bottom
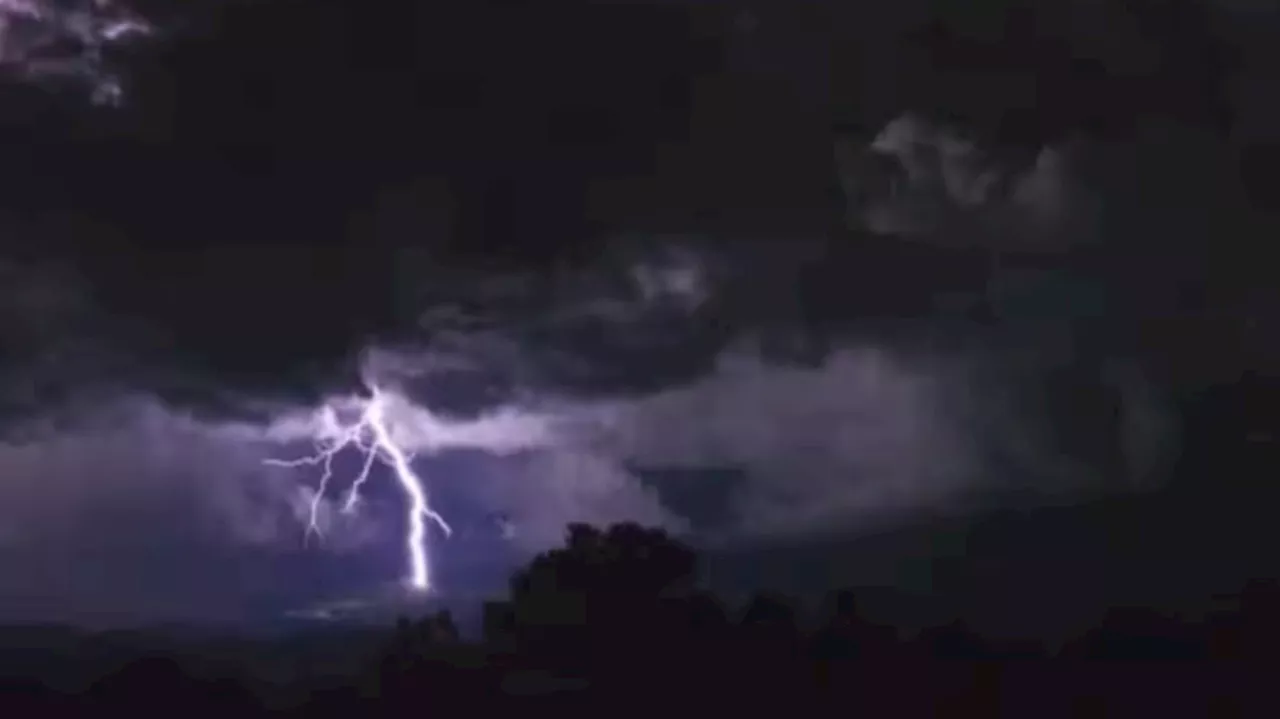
[618, 616]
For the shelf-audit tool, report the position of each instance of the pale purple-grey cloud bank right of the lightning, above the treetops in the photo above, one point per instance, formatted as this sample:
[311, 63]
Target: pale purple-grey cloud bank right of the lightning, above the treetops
[858, 439]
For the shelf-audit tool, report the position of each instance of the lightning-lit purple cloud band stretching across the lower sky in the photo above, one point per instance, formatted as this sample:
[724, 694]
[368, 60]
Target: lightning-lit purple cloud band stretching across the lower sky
[118, 505]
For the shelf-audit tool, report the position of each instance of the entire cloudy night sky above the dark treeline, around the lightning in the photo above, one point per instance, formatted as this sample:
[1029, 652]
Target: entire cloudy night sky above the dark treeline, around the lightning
[781, 278]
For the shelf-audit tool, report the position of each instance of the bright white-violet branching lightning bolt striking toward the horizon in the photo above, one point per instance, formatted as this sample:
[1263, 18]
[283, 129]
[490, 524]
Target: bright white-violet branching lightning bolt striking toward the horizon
[372, 437]
